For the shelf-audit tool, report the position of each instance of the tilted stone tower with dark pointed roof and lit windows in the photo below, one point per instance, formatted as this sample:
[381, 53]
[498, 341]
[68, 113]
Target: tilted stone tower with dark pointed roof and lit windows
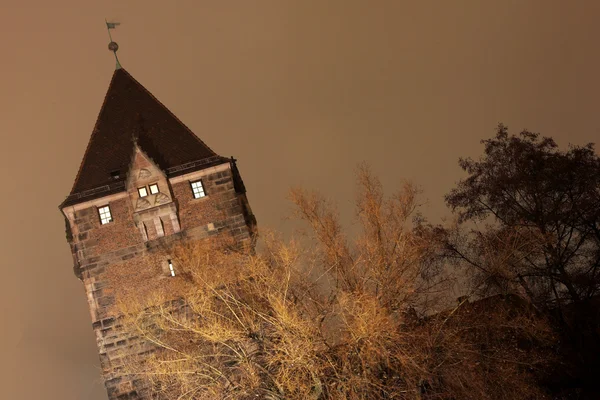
[145, 183]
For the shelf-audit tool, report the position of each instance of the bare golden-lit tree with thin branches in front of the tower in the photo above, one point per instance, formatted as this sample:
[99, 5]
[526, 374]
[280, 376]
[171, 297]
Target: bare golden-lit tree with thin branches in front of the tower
[336, 319]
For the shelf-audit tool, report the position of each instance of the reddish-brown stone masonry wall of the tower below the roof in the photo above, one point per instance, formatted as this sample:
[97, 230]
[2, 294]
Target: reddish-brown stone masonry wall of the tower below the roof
[100, 250]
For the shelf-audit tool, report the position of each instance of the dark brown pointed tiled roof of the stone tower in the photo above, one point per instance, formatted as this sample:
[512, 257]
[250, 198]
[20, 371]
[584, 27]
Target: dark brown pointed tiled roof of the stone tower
[130, 113]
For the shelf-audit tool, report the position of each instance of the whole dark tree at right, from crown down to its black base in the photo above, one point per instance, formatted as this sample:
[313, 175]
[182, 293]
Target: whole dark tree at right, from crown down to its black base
[540, 209]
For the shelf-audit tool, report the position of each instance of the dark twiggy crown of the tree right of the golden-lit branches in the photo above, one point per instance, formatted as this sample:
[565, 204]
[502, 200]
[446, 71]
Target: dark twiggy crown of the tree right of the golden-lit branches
[544, 204]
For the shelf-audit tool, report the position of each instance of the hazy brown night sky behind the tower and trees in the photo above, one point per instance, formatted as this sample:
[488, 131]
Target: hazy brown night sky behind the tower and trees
[298, 91]
